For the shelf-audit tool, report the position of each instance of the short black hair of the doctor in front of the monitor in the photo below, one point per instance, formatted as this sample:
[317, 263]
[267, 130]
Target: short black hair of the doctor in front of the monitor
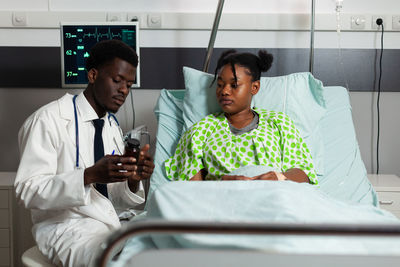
[106, 51]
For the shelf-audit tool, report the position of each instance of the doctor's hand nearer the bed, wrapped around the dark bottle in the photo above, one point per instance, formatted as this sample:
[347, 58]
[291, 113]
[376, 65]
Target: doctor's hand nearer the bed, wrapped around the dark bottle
[143, 169]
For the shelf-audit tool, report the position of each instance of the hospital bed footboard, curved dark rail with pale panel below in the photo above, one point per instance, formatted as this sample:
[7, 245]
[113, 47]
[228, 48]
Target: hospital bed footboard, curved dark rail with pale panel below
[231, 257]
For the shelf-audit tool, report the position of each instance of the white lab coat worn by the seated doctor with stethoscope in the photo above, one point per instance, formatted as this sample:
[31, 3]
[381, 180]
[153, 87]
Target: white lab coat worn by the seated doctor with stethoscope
[69, 218]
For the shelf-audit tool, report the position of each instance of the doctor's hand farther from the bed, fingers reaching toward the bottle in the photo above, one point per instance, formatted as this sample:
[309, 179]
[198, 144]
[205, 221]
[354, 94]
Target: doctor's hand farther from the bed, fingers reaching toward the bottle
[110, 169]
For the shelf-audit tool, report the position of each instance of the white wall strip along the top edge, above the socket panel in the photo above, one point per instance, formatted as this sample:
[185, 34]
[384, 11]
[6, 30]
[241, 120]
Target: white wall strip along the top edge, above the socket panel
[231, 6]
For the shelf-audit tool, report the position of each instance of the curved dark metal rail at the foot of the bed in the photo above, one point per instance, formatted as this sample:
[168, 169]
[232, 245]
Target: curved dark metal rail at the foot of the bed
[107, 249]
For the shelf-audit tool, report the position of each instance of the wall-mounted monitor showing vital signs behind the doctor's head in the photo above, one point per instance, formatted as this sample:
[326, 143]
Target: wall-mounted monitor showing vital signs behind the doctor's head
[78, 38]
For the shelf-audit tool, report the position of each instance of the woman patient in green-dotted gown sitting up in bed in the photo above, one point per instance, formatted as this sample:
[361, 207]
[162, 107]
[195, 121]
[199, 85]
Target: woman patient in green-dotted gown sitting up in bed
[241, 136]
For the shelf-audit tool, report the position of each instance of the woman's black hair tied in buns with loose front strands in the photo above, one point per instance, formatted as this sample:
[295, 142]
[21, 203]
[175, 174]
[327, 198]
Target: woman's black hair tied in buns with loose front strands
[255, 64]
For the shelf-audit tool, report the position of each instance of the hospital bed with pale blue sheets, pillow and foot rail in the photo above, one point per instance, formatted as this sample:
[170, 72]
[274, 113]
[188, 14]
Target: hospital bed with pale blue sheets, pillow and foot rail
[184, 225]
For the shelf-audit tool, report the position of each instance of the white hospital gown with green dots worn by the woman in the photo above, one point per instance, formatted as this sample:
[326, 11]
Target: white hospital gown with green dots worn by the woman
[210, 144]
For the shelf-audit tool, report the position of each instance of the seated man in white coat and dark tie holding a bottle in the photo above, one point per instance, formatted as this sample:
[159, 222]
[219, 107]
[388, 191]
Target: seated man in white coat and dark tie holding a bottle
[71, 174]
